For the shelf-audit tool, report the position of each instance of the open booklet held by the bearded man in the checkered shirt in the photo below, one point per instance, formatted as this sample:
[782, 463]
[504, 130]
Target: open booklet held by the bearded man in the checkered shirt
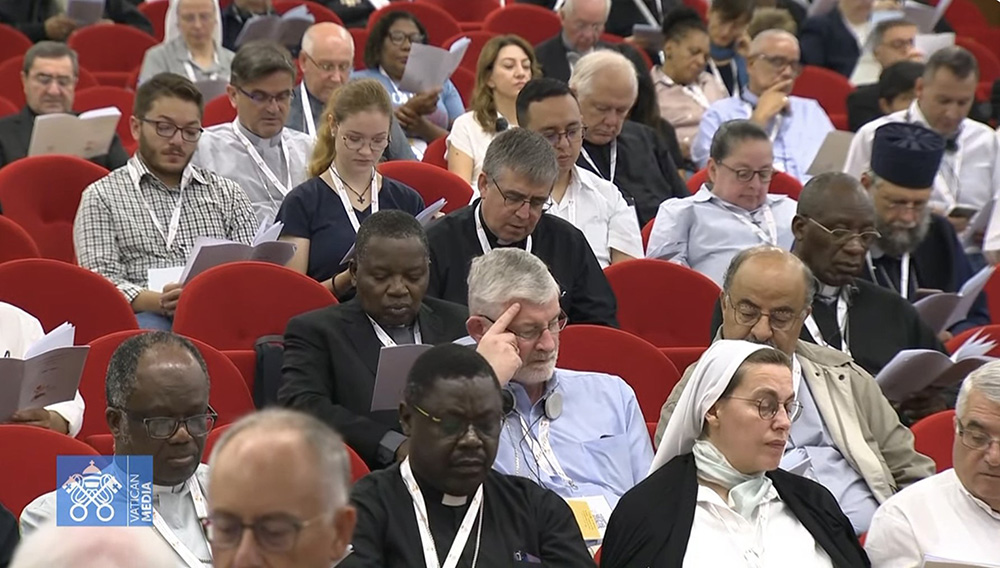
[208, 252]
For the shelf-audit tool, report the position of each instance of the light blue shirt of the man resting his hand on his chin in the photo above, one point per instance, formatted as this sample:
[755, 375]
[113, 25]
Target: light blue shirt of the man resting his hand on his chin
[796, 134]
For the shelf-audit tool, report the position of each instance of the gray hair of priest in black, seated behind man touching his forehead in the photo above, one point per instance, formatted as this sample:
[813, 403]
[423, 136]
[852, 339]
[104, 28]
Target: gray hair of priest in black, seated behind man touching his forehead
[524, 153]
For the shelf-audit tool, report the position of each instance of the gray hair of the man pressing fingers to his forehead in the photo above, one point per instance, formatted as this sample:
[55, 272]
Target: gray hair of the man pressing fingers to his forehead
[507, 274]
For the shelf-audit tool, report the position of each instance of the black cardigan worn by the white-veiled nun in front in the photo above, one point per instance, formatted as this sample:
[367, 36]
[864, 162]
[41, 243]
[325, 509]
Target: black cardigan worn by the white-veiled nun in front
[651, 524]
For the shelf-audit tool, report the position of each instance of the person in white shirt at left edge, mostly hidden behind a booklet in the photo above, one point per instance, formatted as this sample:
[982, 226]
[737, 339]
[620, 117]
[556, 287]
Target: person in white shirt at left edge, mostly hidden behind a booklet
[18, 331]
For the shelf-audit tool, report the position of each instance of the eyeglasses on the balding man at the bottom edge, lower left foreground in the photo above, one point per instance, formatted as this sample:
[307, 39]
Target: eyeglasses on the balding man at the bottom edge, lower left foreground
[274, 533]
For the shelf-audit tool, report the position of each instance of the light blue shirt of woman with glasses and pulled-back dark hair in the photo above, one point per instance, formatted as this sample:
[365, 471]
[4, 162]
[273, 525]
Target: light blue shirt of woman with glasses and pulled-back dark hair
[704, 232]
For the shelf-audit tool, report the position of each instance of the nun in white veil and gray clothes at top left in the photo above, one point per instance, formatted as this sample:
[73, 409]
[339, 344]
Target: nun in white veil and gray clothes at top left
[192, 44]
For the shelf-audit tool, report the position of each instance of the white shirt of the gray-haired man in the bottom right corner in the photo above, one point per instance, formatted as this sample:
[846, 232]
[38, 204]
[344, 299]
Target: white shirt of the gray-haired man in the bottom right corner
[935, 516]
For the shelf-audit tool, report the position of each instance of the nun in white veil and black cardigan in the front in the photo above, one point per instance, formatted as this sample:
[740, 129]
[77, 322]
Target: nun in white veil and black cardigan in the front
[714, 496]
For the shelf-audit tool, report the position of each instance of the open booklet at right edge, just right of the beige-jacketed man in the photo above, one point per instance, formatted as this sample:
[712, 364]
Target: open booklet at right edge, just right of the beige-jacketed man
[913, 370]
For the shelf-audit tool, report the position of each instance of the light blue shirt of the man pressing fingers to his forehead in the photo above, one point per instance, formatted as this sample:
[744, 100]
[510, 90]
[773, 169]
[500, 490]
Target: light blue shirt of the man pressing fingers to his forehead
[600, 440]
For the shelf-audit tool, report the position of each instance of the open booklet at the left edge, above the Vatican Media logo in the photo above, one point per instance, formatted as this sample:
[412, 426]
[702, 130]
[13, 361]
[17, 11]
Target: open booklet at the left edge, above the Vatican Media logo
[49, 373]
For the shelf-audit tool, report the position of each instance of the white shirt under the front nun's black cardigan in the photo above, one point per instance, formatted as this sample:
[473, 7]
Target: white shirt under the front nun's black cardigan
[721, 537]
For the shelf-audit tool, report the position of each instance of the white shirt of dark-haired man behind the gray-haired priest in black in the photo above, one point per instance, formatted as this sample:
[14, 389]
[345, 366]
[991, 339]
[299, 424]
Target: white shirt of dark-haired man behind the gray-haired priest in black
[596, 207]
